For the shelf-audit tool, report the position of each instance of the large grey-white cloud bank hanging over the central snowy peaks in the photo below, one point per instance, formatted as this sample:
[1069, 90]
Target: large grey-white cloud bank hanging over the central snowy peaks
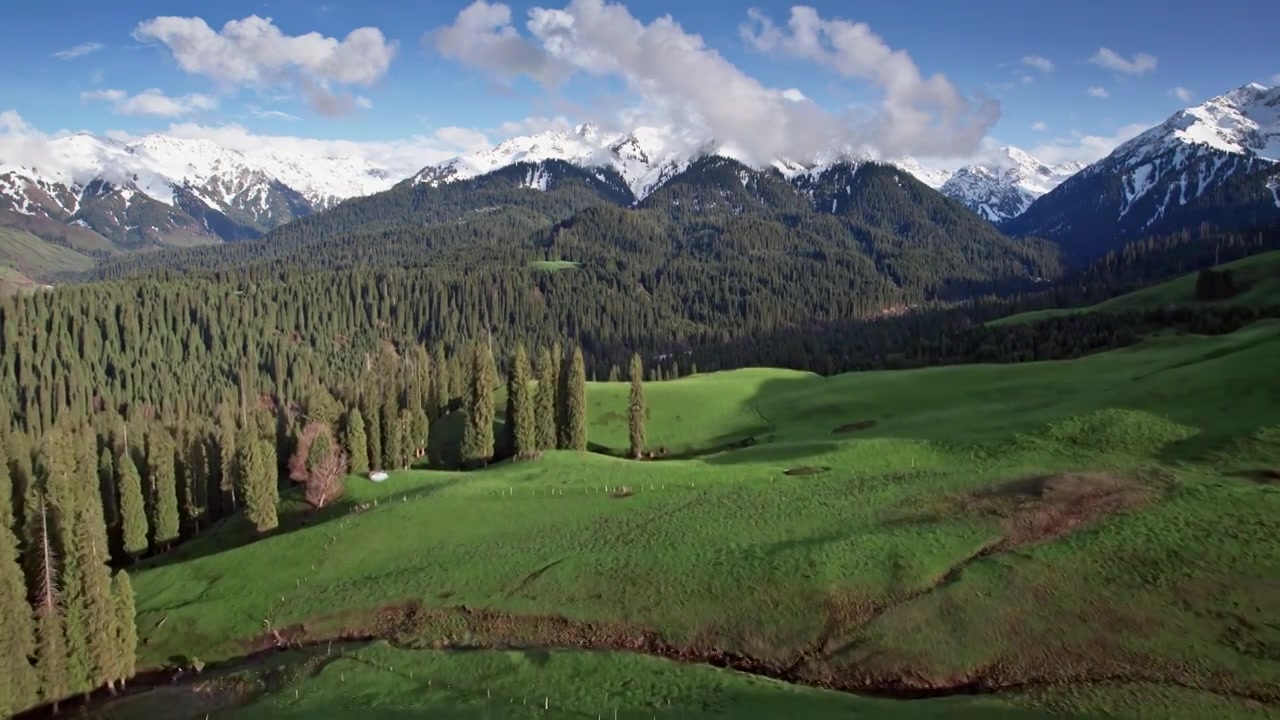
[680, 81]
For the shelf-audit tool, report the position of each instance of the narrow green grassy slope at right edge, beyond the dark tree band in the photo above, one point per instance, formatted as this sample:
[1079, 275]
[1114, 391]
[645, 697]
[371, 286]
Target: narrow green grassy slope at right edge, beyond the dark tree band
[1258, 275]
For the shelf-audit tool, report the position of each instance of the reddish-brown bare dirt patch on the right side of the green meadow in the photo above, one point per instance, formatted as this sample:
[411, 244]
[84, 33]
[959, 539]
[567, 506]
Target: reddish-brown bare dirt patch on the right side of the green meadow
[1043, 508]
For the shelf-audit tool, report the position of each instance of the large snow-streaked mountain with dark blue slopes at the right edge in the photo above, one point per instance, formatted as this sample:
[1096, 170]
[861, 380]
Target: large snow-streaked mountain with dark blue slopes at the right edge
[1212, 163]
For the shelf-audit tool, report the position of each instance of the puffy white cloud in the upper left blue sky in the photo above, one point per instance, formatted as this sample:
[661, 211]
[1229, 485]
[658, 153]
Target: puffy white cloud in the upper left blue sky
[254, 53]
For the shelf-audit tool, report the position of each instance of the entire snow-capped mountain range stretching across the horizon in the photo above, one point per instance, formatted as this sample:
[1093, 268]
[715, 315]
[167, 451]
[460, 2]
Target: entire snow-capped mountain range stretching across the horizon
[1214, 163]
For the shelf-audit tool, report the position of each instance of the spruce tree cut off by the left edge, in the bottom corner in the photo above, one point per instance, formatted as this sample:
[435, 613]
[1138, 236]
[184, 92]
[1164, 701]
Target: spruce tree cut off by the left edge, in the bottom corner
[19, 682]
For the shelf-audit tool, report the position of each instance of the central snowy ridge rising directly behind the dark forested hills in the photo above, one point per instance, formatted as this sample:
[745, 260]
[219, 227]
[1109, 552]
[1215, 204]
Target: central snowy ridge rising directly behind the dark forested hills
[644, 158]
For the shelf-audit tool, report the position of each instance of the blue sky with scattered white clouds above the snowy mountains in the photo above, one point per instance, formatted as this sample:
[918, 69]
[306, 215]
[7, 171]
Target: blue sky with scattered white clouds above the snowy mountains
[1069, 79]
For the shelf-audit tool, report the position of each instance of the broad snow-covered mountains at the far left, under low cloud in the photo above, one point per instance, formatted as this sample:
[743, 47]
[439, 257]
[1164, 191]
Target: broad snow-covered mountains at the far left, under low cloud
[163, 190]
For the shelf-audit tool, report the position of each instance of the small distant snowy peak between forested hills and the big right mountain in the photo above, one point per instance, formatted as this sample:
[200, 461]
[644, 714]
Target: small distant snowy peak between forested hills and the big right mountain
[1005, 188]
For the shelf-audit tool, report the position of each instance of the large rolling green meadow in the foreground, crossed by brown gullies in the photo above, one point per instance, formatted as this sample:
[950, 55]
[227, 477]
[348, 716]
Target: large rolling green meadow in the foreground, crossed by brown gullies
[1094, 537]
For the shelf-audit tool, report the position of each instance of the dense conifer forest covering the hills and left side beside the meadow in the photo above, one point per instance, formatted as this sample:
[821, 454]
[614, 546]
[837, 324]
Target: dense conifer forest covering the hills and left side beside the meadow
[184, 388]
